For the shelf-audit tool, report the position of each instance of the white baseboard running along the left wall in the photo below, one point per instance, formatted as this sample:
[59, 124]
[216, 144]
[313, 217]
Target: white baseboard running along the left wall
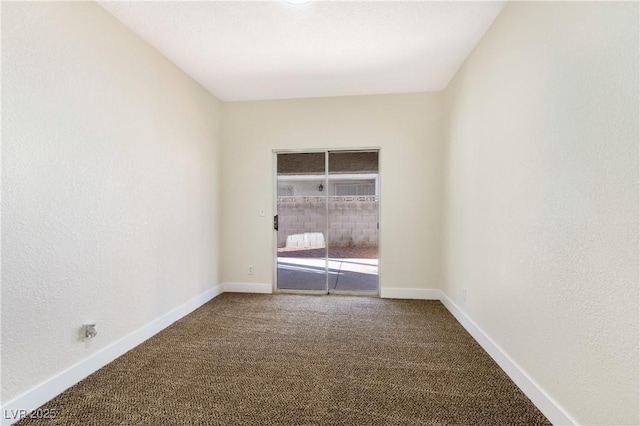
[49, 389]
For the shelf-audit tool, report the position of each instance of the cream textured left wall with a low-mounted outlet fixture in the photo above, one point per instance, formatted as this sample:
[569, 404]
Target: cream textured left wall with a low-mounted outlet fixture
[110, 176]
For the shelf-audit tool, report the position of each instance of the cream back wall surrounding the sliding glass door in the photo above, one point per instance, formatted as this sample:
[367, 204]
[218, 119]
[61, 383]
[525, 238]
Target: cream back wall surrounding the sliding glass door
[407, 130]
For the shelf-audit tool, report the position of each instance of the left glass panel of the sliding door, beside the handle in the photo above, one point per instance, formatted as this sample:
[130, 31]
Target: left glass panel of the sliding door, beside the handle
[301, 221]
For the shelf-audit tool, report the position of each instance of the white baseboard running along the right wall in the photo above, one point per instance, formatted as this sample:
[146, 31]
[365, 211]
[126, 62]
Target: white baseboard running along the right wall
[539, 397]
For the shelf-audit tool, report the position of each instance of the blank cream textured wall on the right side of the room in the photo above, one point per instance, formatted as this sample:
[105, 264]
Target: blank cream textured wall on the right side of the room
[541, 199]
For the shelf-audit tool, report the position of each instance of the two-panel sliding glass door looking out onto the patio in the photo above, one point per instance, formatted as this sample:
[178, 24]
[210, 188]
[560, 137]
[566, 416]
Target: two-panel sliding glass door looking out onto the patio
[326, 226]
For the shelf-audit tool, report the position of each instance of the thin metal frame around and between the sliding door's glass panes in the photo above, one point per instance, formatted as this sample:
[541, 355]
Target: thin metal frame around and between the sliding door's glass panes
[274, 200]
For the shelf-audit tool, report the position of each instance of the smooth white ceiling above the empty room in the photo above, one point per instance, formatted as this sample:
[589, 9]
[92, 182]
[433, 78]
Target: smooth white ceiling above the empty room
[241, 50]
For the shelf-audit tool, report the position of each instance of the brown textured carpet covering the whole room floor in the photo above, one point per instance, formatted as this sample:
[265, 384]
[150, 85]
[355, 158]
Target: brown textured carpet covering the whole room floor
[301, 360]
